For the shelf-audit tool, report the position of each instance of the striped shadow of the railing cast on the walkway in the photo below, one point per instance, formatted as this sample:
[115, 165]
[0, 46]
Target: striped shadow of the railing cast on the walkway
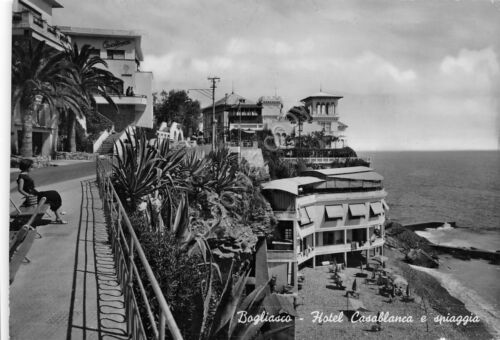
[97, 303]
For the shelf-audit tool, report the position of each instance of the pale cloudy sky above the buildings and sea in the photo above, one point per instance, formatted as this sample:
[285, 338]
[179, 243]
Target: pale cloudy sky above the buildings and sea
[415, 75]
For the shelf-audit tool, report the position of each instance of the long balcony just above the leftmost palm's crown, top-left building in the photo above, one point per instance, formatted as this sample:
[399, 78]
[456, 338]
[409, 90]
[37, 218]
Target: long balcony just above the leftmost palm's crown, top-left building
[27, 20]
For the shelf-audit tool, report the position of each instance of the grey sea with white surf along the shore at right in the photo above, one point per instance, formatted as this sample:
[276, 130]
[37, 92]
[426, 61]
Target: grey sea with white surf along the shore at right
[451, 186]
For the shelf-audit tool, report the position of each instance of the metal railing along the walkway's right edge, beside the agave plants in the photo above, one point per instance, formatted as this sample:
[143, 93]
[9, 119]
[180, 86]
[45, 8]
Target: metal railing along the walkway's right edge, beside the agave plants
[128, 254]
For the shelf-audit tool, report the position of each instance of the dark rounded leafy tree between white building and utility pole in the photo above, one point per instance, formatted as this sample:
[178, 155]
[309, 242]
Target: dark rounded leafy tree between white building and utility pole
[176, 106]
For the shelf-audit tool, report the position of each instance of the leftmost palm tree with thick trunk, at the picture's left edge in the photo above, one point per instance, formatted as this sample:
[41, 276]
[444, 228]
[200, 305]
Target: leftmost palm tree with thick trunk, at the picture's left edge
[38, 75]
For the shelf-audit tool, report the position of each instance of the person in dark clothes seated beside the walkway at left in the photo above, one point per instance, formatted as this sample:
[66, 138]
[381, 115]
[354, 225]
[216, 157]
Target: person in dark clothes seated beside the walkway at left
[26, 186]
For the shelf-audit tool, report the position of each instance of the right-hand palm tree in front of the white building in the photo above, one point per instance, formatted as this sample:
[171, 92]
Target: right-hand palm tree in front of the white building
[92, 79]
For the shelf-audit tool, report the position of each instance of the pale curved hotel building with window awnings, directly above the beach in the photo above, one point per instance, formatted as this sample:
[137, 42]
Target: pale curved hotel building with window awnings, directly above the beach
[325, 215]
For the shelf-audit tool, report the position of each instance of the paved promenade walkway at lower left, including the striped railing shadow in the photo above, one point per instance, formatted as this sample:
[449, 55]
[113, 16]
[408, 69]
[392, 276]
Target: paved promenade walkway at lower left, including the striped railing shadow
[69, 289]
